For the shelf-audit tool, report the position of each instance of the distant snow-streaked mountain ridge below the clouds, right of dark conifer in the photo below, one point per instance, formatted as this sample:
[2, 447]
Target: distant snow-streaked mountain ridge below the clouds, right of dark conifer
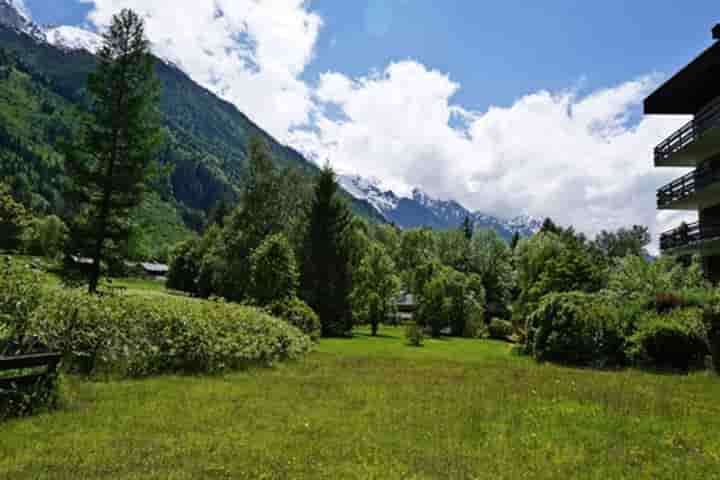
[422, 210]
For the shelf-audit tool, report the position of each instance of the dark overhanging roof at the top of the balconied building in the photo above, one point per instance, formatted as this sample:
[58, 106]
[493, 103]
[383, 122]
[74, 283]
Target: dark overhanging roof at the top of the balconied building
[691, 88]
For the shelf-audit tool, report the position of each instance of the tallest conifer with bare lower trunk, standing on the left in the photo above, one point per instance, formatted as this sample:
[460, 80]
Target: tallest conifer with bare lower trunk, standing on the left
[119, 145]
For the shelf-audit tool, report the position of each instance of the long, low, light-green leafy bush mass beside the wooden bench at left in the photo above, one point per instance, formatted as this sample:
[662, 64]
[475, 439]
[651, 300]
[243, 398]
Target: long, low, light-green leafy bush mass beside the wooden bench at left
[137, 336]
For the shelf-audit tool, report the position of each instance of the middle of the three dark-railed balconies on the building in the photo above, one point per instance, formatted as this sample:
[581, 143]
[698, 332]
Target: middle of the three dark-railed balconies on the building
[694, 191]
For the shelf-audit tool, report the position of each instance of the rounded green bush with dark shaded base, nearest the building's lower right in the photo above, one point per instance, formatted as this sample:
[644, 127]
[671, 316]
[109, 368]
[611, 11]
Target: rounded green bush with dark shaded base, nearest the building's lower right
[677, 340]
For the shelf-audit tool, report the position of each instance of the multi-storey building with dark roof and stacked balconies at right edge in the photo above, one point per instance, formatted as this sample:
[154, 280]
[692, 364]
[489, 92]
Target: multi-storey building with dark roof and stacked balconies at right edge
[695, 90]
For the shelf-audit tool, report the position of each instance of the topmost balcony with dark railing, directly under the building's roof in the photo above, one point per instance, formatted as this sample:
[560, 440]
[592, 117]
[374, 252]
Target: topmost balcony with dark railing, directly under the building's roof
[696, 141]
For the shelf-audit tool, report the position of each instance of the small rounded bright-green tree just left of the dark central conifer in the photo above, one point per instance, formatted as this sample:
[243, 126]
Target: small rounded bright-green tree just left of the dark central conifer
[273, 271]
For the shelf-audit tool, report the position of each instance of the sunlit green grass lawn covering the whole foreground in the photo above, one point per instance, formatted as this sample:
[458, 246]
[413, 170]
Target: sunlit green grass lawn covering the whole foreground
[374, 408]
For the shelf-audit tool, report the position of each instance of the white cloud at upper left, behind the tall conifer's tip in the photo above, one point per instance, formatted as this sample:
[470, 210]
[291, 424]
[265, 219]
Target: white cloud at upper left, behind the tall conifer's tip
[249, 52]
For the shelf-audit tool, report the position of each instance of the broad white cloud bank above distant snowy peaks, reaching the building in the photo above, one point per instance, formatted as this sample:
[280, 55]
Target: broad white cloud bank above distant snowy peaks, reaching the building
[584, 160]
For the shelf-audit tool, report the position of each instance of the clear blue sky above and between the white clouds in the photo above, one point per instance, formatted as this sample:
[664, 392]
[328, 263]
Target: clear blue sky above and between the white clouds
[498, 50]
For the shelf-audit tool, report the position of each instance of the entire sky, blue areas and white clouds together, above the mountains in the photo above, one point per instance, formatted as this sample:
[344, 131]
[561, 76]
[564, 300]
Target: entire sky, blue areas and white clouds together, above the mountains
[510, 107]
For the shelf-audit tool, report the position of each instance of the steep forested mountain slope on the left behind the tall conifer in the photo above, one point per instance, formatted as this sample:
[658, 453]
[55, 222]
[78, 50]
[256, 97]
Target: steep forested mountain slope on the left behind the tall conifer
[43, 74]
